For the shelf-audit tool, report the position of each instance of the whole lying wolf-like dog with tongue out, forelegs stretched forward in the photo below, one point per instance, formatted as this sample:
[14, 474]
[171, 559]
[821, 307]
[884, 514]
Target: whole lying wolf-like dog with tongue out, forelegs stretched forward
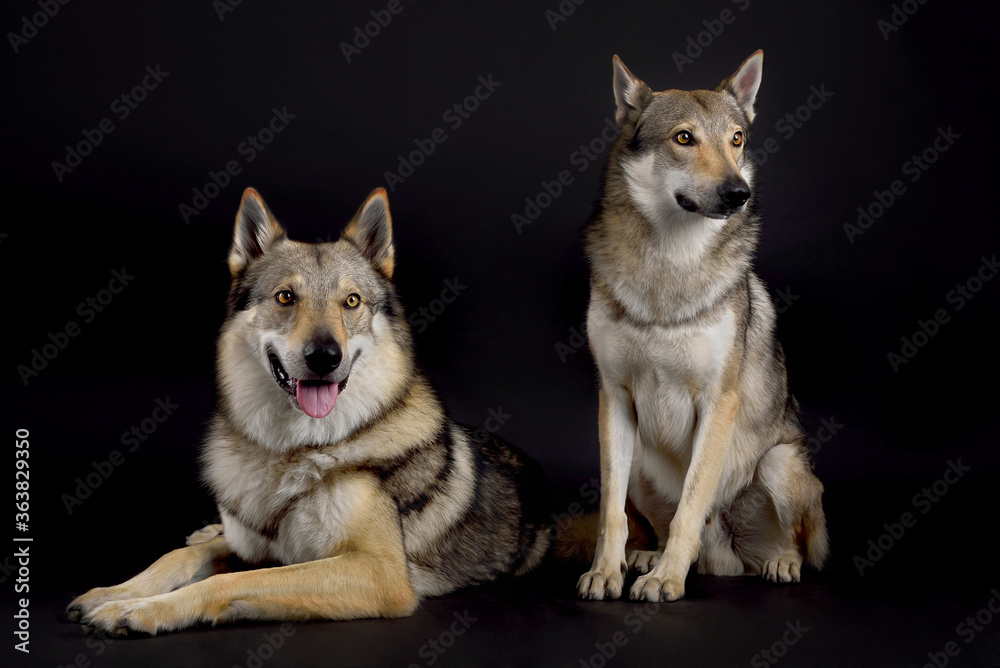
[367, 492]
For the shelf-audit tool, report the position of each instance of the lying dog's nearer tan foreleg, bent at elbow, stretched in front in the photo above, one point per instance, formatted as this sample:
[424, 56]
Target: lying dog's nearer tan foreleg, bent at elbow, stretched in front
[368, 578]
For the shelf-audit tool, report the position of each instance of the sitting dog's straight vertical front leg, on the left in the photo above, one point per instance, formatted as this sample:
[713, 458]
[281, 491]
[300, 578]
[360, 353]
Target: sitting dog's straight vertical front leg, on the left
[618, 431]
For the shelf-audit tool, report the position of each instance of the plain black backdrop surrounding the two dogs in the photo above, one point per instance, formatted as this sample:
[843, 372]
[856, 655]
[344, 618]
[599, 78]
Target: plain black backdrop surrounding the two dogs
[497, 346]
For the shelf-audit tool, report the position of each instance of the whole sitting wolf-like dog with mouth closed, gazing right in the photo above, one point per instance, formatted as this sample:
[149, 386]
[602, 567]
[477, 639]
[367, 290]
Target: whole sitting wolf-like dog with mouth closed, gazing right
[696, 422]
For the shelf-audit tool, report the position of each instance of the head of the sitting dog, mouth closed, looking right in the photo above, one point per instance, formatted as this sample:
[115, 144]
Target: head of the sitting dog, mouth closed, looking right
[683, 151]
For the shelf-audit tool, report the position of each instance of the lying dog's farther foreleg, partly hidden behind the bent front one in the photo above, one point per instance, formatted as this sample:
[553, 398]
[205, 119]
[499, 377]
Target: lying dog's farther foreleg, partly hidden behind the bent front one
[172, 571]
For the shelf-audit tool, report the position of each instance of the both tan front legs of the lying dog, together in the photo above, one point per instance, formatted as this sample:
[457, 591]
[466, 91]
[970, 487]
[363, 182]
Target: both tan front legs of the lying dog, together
[365, 577]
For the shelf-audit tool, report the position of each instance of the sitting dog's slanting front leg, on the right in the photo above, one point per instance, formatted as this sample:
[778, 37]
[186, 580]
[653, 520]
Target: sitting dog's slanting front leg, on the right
[666, 581]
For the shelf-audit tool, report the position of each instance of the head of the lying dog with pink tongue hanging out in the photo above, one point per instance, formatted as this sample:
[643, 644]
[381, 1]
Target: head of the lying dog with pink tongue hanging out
[305, 319]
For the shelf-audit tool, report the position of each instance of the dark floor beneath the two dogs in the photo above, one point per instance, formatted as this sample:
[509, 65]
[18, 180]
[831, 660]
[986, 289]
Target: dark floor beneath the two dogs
[722, 622]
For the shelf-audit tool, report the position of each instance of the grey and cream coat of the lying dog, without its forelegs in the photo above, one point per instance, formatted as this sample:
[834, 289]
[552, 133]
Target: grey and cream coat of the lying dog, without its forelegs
[466, 510]
